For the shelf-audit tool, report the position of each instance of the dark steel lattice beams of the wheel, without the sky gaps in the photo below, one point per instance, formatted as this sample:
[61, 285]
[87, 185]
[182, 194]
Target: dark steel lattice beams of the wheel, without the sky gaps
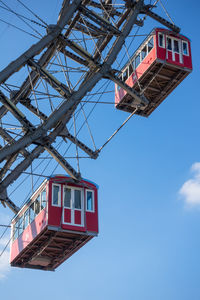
[56, 122]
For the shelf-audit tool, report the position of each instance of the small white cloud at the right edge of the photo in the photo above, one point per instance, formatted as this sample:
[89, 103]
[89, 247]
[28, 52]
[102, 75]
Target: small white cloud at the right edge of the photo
[190, 190]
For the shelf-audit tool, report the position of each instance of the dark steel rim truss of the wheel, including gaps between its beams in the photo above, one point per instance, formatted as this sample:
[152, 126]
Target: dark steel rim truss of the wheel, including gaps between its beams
[103, 28]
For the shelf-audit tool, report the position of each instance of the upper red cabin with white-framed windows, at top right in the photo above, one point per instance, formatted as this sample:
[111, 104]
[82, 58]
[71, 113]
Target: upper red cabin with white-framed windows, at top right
[161, 62]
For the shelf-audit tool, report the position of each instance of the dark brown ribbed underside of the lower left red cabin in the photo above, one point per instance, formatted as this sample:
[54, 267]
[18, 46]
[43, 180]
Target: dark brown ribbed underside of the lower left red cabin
[50, 248]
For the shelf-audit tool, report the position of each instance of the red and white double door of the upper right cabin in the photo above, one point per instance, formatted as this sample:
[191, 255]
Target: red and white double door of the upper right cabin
[174, 52]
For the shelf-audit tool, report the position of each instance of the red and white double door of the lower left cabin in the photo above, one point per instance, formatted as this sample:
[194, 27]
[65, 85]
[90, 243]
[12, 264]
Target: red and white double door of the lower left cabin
[73, 206]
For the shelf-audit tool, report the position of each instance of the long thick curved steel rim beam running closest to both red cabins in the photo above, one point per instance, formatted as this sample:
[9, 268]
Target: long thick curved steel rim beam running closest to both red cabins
[68, 107]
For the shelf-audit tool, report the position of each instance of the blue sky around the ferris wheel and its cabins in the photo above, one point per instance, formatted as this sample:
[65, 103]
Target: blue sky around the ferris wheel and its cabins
[149, 196]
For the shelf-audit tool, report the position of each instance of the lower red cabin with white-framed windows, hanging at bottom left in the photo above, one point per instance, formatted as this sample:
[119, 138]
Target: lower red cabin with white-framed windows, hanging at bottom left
[60, 217]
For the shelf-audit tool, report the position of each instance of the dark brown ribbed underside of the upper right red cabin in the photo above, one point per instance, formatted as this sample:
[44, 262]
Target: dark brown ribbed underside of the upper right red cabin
[156, 84]
